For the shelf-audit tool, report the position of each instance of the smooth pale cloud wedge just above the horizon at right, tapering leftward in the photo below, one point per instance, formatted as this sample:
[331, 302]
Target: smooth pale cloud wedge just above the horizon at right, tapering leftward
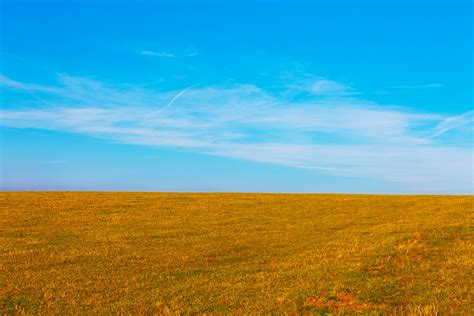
[419, 168]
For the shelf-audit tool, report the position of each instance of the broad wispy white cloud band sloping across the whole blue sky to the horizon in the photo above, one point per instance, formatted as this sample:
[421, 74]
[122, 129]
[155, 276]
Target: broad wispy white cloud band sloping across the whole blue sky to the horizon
[338, 134]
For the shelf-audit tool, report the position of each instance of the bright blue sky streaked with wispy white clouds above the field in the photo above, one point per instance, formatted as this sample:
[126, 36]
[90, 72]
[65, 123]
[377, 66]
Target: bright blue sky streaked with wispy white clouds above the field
[252, 96]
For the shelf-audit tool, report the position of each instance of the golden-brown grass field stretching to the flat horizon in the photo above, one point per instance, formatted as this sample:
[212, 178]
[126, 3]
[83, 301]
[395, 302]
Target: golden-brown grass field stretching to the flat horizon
[156, 253]
